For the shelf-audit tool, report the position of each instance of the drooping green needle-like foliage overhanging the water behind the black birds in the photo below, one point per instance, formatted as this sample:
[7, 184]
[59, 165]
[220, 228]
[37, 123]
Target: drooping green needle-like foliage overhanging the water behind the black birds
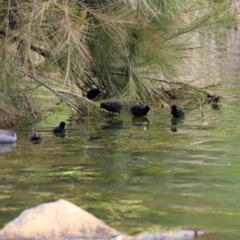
[74, 45]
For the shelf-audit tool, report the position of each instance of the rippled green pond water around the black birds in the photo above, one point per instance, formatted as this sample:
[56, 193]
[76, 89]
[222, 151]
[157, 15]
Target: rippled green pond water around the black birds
[138, 177]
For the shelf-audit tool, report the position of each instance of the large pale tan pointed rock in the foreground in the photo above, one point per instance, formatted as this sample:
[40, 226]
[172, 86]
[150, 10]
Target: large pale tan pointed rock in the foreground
[59, 220]
